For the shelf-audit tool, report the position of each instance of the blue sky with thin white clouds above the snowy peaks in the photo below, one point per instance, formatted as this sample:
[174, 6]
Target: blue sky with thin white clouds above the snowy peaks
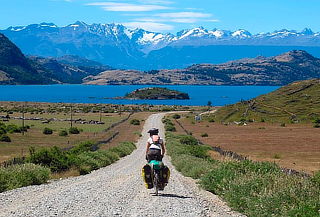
[167, 15]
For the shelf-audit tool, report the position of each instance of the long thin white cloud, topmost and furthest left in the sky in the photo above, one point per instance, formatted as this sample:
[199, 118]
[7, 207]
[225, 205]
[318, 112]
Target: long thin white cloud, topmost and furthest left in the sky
[114, 6]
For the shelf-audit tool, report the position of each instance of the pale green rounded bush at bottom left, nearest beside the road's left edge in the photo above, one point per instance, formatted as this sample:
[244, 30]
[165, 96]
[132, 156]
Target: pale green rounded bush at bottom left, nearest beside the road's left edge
[17, 176]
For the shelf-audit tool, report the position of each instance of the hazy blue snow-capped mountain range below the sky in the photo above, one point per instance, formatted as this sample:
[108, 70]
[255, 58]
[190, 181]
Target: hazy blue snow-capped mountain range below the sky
[124, 48]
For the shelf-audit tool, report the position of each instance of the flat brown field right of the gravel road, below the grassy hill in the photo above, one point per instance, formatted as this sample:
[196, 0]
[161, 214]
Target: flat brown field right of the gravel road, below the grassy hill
[296, 146]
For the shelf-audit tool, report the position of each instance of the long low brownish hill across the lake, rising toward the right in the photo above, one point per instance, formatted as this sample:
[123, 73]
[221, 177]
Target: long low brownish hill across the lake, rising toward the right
[279, 70]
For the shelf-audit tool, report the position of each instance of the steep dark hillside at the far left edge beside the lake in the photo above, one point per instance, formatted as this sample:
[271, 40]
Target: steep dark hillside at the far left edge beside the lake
[15, 68]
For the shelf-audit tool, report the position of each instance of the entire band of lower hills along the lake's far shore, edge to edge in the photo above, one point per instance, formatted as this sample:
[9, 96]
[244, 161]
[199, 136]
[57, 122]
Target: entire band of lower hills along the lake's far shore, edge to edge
[16, 68]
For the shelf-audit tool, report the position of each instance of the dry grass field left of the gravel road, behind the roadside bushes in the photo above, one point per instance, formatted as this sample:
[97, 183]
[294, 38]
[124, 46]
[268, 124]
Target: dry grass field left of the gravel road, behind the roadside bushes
[20, 144]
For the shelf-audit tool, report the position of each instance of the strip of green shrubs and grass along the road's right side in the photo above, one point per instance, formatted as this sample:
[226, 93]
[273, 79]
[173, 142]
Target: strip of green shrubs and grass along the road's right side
[252, 188]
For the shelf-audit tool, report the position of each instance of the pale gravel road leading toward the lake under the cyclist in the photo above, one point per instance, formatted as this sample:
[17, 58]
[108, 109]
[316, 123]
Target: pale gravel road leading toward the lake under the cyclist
[116, 190]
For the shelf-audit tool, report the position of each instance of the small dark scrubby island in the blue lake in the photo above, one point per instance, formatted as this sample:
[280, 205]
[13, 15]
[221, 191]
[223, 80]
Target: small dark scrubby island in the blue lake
[156, 93]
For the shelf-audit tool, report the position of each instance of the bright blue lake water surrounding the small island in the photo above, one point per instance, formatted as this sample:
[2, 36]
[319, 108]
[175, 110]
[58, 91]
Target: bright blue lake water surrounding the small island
[199, 95]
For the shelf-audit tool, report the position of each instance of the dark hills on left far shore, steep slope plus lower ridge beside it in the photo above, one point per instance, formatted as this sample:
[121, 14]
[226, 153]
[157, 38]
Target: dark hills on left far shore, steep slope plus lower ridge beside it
[15, 68]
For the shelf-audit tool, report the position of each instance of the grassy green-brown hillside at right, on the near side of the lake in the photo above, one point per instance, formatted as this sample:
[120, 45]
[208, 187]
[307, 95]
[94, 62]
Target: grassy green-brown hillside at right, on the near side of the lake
[296, 102]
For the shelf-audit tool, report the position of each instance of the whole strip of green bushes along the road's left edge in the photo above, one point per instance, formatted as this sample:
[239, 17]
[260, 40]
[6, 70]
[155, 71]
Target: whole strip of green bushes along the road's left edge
[41, 163]
